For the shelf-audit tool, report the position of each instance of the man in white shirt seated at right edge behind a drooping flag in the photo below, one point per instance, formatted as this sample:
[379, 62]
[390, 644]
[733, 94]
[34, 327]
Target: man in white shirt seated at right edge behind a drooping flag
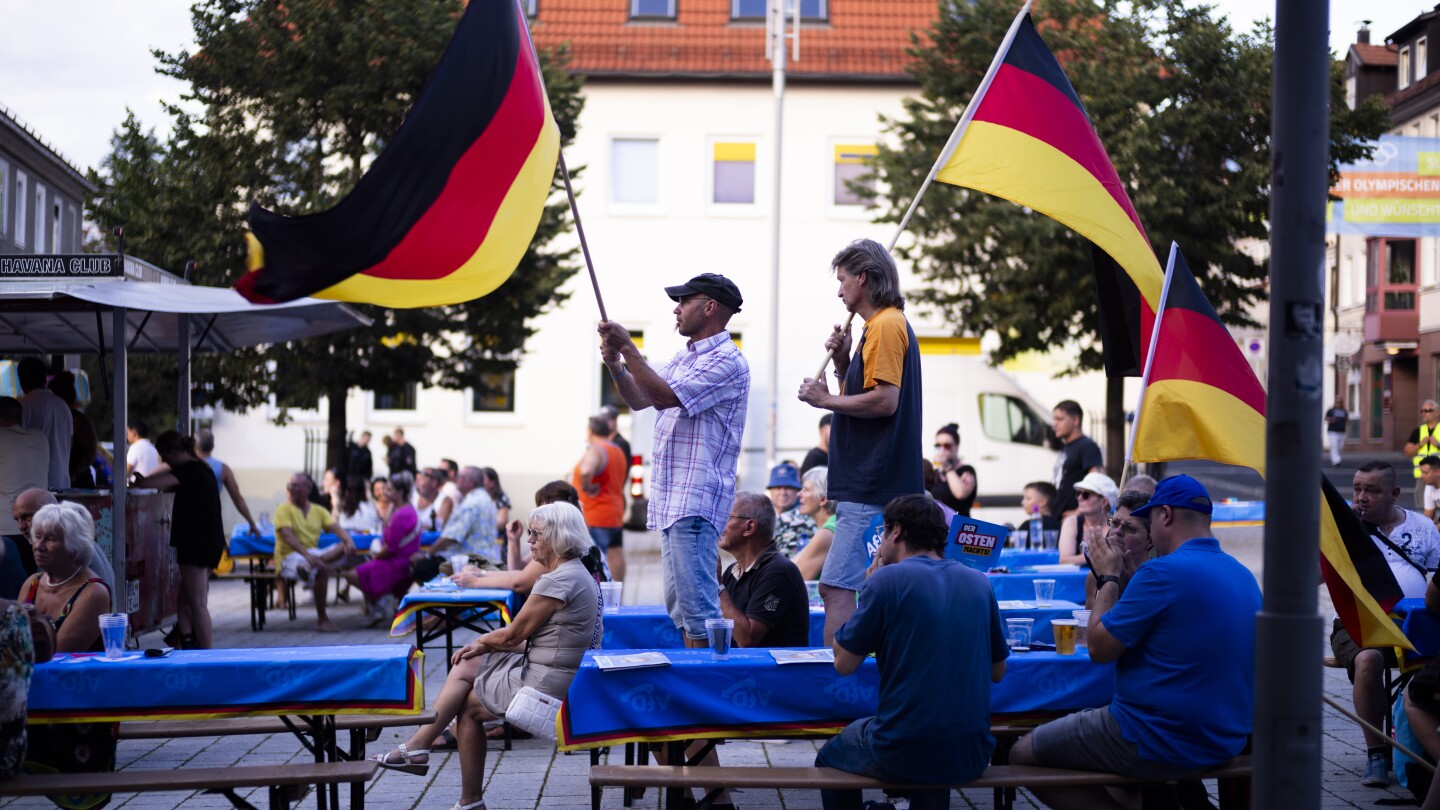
[1412, 547]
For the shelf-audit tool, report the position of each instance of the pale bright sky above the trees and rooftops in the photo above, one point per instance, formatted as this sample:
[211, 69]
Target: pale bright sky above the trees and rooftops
[71, 68]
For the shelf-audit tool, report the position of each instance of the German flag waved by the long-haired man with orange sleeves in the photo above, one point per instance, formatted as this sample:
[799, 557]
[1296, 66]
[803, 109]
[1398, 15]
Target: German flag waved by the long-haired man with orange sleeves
[1030, 142]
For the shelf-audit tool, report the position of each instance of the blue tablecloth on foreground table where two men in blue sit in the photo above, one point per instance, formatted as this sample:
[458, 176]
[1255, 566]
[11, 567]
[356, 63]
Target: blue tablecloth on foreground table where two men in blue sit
[750, 695]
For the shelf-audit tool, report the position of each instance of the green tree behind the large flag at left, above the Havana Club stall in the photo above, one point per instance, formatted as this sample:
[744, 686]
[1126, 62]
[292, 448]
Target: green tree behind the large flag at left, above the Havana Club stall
[294, 100]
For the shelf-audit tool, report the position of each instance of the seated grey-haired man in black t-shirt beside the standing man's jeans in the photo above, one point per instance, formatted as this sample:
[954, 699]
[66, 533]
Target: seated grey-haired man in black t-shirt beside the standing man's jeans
[762, 592]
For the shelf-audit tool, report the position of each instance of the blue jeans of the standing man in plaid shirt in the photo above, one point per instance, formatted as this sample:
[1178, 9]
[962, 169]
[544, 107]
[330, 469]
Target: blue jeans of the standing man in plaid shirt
[689, 557]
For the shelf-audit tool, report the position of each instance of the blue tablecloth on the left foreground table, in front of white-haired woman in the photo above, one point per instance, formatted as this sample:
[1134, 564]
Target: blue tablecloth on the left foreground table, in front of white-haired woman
[220, 684]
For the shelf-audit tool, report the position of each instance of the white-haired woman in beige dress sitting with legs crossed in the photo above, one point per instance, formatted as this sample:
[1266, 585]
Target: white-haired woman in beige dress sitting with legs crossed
[542, 648]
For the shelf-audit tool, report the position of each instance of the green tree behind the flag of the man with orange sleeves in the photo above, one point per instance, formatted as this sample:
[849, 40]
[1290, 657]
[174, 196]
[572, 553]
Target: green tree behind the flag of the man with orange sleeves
[1183, 106]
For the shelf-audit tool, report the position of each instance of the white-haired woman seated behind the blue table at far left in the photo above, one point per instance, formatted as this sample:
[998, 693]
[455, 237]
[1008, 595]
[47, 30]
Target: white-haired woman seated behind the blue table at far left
[66, 589]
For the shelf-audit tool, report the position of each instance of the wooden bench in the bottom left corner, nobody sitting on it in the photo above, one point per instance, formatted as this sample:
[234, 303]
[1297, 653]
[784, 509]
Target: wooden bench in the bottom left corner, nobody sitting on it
[211, 780]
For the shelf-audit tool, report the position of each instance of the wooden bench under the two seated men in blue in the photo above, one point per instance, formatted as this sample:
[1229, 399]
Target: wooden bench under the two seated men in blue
[1235, 779]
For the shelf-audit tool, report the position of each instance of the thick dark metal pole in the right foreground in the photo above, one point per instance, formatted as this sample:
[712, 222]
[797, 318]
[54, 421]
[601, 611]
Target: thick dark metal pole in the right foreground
[1288, 631]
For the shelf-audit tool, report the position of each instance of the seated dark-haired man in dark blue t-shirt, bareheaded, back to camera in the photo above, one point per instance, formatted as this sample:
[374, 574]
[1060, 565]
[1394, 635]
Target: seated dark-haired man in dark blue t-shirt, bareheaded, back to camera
[935, 629]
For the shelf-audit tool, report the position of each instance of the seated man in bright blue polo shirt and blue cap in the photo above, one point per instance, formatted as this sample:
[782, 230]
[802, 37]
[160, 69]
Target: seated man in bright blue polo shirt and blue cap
[1183, 638]
